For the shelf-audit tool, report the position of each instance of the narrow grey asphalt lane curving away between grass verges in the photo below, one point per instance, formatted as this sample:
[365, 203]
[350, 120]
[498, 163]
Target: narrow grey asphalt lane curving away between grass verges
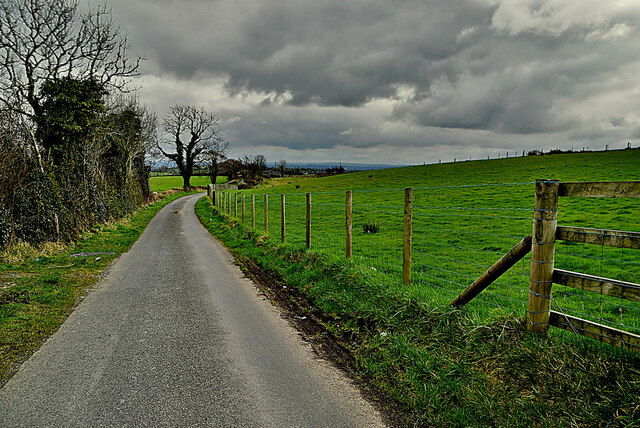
[175, 336]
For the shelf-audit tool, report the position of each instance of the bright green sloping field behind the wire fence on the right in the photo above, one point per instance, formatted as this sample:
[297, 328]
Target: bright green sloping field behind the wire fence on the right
[466, 216]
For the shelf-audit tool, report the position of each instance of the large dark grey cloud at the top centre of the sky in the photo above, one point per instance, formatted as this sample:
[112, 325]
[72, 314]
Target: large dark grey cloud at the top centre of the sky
[322, 52]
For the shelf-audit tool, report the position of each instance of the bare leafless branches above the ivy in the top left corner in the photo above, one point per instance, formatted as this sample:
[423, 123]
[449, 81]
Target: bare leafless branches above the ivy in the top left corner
[44, 40]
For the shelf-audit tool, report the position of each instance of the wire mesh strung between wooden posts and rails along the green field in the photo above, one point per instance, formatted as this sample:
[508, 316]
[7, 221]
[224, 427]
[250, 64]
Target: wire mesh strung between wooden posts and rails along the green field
[458, 232]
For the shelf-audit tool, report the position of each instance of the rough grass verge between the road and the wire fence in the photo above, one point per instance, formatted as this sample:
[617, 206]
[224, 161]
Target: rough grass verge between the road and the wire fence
[448, 367]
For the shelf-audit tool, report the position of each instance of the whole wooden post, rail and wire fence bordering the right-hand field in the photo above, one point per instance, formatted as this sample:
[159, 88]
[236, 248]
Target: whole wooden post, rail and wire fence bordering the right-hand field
[447, 248]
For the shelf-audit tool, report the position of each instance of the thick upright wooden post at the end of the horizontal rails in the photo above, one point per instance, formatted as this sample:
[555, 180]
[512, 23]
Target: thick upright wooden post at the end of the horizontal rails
[545, 215]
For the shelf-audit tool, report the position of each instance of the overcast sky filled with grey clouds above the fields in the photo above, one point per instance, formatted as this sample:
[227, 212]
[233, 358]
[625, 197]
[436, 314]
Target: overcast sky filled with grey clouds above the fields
[395, 81]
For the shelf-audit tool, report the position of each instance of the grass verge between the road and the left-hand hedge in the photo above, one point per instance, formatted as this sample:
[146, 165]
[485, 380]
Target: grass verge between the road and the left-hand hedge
[40, 287]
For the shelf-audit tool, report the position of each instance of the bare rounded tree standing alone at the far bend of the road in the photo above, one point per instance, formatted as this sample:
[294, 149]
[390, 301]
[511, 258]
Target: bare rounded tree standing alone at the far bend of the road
[193, 132]
